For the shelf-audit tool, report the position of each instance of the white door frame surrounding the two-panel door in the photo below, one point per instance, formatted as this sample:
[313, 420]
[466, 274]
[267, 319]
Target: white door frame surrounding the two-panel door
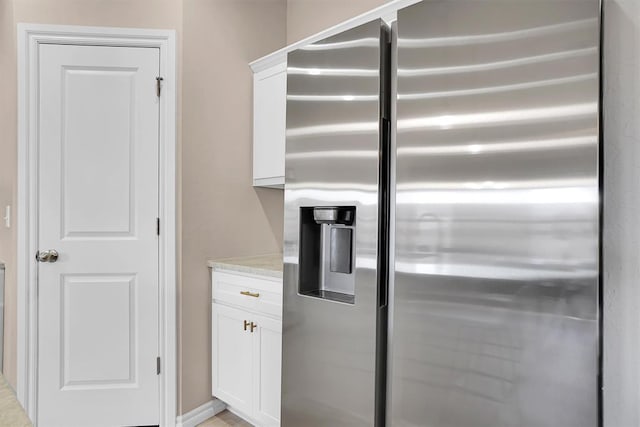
[30, 36]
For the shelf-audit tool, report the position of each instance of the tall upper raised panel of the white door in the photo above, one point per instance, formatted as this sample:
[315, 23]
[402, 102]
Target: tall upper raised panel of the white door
[97, 148]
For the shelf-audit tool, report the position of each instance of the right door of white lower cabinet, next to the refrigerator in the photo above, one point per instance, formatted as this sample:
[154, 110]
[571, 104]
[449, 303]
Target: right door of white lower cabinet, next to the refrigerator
[267, 368]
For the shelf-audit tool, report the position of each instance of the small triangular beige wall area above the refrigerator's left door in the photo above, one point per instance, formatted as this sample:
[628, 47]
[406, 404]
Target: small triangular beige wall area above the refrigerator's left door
[307, 17]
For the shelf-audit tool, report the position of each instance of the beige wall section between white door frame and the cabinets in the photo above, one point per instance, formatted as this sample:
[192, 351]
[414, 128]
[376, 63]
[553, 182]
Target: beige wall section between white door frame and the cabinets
[223, 215]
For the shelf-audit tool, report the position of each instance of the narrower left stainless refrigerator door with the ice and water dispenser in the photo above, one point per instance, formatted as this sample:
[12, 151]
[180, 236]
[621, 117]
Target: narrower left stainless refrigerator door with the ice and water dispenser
[330, 303]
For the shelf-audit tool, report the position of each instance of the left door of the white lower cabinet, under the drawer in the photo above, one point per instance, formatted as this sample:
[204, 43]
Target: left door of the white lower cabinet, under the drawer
[232, 357]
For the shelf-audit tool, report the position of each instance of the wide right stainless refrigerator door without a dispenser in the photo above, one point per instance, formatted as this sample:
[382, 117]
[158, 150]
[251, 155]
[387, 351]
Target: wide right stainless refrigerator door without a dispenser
[495, 309]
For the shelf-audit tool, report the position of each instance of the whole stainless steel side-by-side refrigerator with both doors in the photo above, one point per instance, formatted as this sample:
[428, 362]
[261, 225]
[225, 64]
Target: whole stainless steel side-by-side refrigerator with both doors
[442, 219]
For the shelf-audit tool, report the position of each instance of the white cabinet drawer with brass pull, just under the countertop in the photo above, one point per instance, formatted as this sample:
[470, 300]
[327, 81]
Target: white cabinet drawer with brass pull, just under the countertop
[257, 294]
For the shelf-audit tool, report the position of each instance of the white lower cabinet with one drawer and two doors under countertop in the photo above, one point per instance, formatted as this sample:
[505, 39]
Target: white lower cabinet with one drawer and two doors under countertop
[246, 346]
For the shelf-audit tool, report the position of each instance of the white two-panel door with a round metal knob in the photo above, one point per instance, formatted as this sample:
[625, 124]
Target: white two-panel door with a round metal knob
[98, 203]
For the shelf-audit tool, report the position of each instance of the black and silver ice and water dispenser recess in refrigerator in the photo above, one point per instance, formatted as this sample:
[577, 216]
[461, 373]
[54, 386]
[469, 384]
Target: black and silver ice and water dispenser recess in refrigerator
[327, 241]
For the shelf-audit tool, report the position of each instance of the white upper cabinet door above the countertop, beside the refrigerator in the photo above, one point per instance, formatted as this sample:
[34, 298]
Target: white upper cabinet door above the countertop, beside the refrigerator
[269, 121]
